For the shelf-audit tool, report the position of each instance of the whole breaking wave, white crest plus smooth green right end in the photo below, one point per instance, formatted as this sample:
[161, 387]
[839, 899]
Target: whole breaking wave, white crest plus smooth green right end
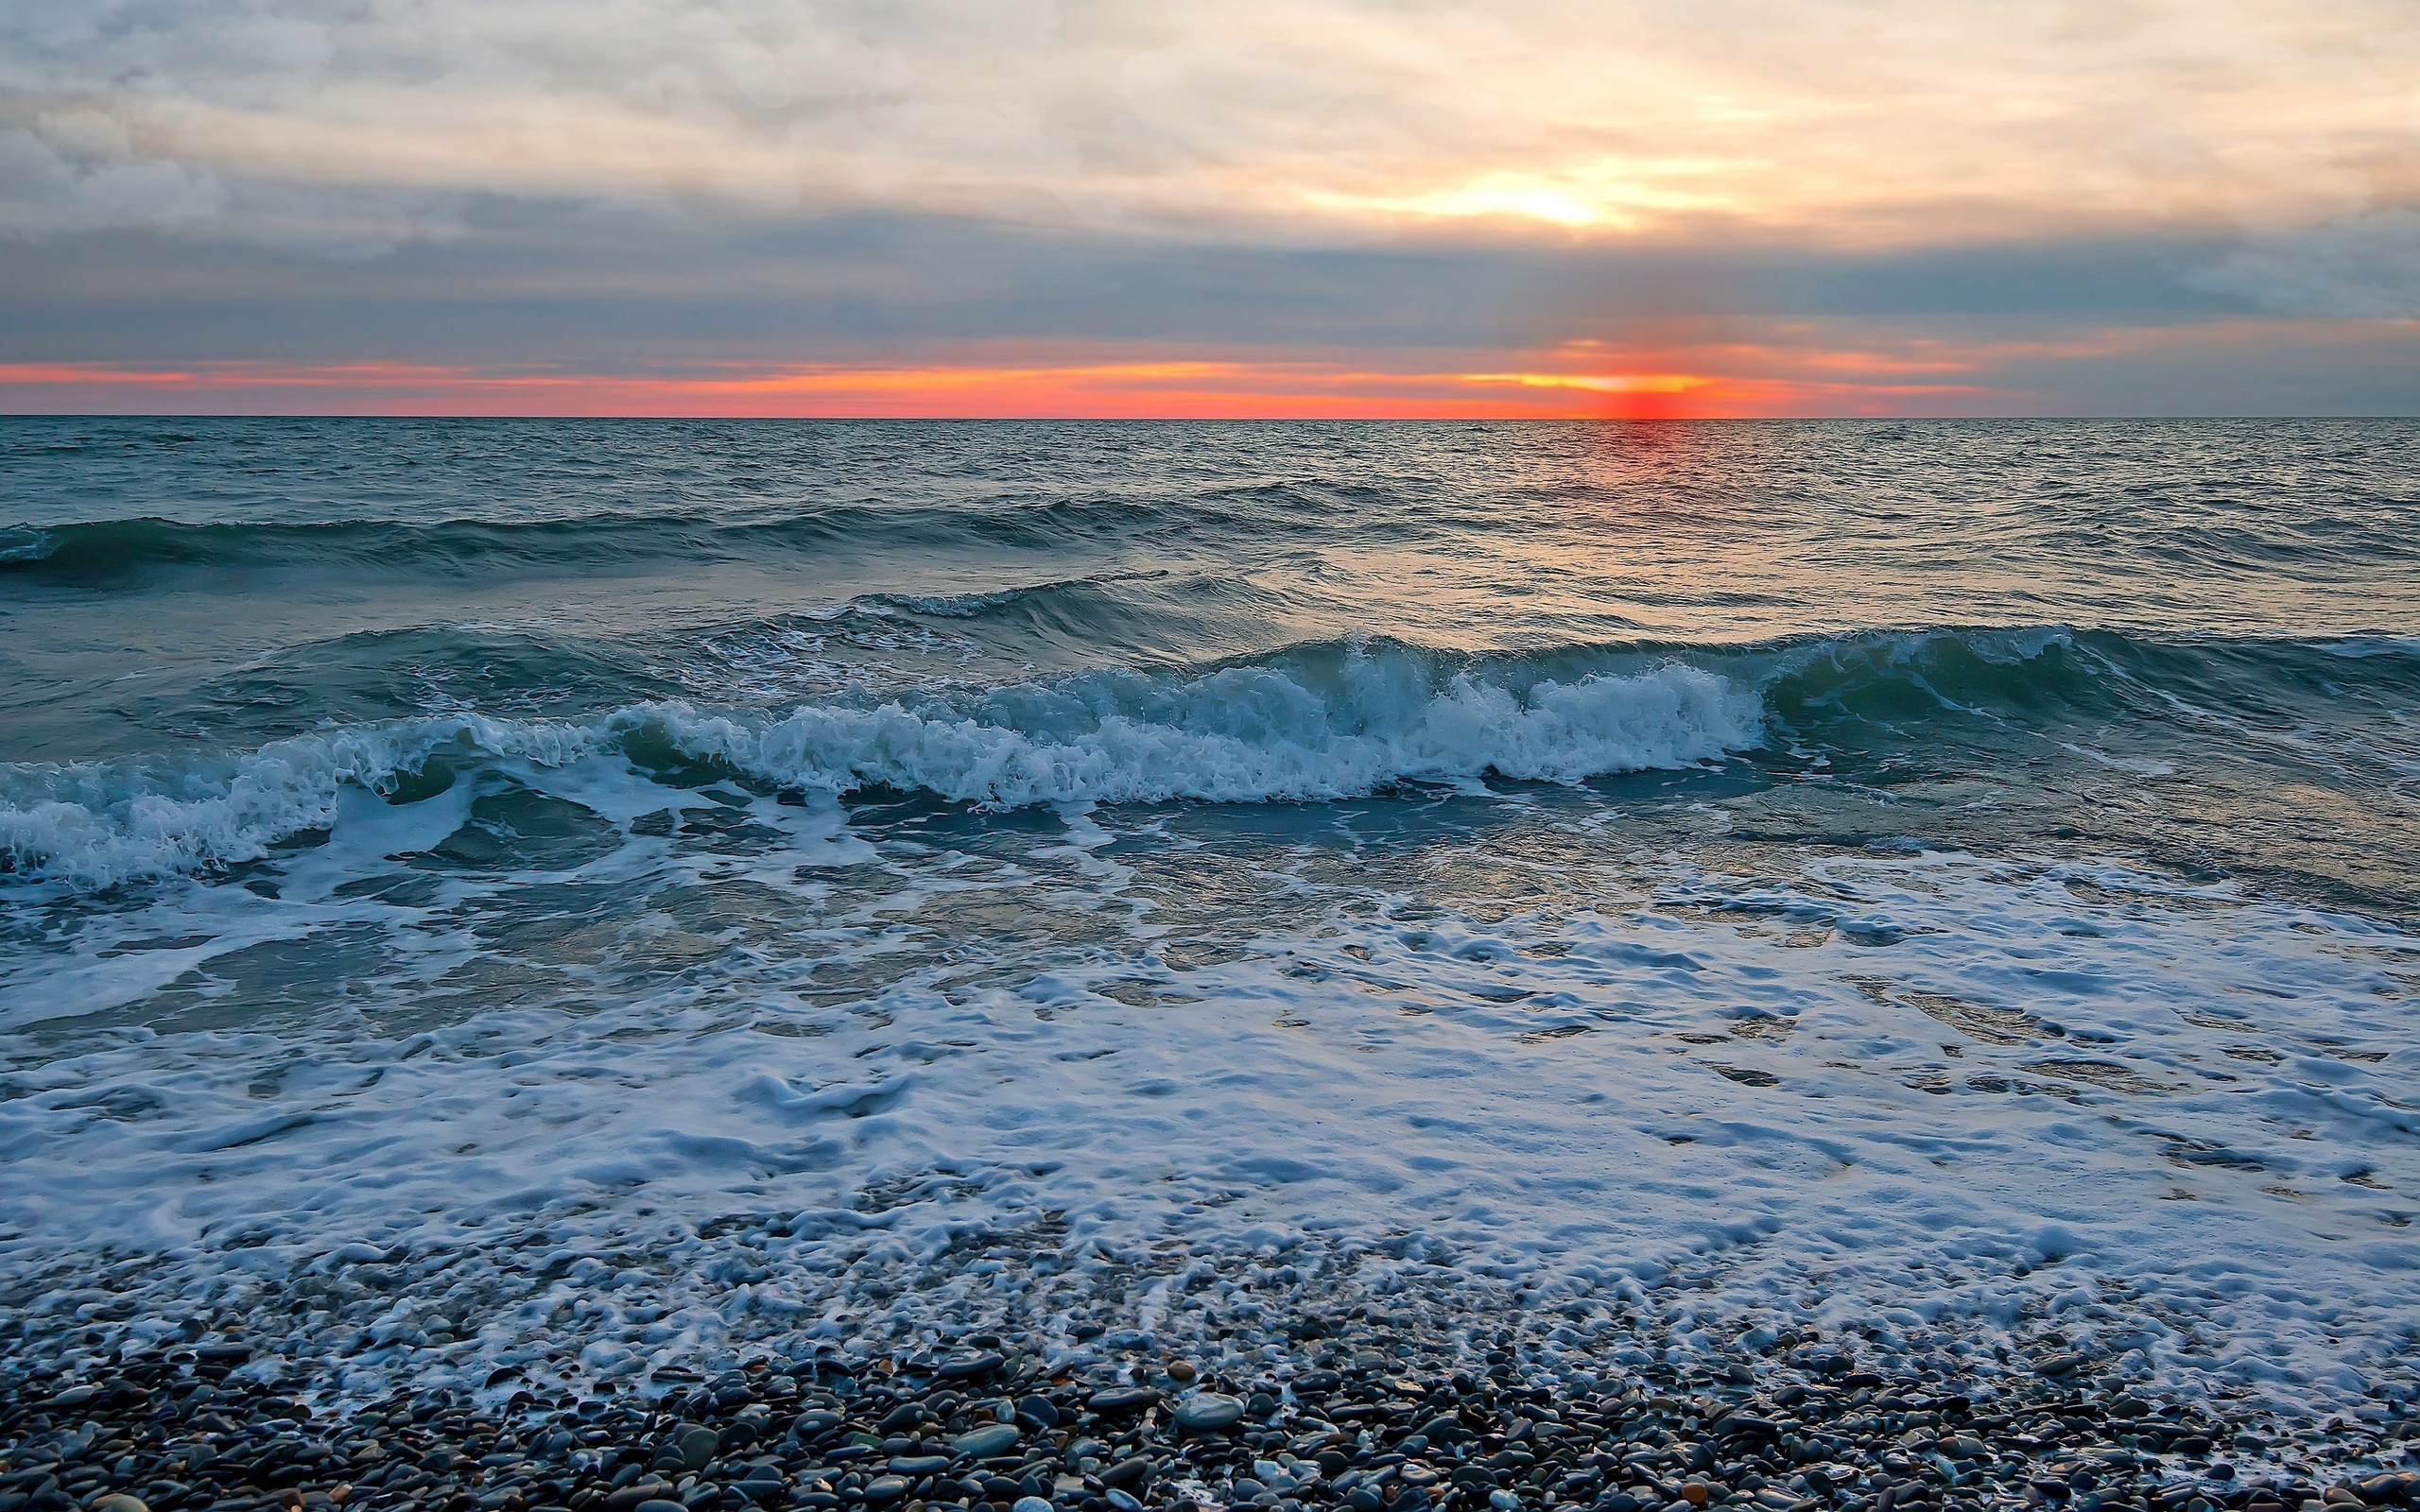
[1308, 725]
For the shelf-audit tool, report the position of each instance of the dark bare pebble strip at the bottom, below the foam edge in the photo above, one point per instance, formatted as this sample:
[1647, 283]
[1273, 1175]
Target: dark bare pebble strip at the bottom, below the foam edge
[1339, 1424]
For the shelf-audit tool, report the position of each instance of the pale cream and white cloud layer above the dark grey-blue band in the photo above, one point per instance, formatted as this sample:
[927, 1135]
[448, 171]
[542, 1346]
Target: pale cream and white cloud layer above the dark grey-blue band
[1850, 122]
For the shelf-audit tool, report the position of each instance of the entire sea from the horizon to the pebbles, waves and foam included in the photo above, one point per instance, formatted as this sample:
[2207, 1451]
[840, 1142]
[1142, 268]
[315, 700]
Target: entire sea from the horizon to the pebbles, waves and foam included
[853, 882]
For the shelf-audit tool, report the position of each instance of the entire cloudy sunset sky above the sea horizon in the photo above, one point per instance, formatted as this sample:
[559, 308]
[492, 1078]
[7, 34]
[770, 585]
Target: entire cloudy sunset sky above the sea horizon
[1223, 209]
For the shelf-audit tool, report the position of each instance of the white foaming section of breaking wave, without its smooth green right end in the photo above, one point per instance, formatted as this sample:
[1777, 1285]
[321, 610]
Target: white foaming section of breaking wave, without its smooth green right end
[1323, 722]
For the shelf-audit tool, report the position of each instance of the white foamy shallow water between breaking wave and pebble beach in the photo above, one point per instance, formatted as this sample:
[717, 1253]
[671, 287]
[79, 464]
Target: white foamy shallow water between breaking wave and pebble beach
[1903, 1092]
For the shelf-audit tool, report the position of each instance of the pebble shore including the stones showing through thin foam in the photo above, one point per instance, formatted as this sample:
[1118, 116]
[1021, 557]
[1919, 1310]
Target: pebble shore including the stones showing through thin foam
[1245, 1385]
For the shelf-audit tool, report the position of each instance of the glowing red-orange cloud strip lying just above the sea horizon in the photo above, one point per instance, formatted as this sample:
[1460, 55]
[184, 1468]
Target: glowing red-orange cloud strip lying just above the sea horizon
[1688, 369]
